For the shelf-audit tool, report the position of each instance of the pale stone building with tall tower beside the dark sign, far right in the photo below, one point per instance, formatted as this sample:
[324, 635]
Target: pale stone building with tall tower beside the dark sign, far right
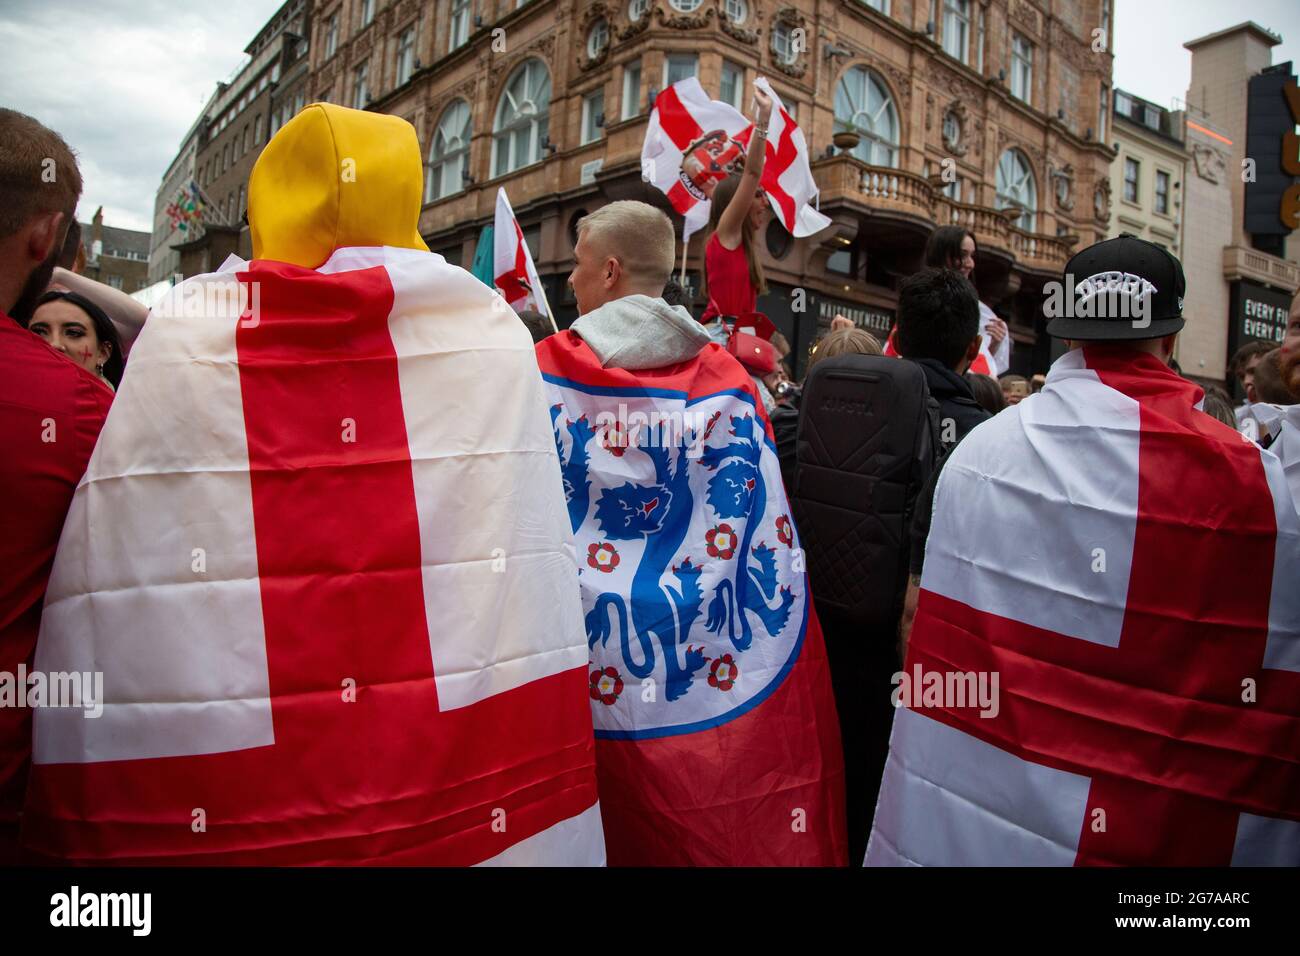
[1237, 289]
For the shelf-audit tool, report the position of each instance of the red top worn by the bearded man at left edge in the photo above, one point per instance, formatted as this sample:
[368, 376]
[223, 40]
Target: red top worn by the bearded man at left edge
[51, 412]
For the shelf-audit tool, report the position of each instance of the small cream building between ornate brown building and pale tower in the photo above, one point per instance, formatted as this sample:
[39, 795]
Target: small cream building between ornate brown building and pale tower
[1147, 176]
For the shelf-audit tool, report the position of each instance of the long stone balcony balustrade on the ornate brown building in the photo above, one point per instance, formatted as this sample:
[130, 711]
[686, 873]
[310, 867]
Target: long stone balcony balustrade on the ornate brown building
[900, 194]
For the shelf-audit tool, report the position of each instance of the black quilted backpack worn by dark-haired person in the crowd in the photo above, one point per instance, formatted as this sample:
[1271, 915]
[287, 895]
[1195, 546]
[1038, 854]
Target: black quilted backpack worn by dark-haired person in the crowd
[869, 440]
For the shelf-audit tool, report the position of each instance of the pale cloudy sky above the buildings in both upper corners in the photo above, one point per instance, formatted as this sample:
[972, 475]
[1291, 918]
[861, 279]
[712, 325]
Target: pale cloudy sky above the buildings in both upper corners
[124, 80]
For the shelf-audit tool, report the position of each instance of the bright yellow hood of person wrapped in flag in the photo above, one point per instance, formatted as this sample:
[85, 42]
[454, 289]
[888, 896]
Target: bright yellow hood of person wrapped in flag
[335, 178]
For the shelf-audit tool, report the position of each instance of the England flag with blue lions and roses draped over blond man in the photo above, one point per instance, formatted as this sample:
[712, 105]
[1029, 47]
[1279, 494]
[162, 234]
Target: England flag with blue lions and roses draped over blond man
[717, 734]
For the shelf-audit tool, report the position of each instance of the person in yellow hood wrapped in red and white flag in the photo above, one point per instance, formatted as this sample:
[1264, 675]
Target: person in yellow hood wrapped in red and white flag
[322, 559]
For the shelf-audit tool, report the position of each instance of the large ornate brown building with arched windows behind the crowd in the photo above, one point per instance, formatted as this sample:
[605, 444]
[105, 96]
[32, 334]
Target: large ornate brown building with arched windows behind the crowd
[990, 115]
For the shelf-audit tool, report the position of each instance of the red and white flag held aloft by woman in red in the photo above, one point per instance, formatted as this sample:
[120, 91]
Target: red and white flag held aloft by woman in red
[692, 142]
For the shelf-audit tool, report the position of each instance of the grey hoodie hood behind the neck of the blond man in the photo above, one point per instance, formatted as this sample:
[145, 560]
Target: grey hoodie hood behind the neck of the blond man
[638, 332]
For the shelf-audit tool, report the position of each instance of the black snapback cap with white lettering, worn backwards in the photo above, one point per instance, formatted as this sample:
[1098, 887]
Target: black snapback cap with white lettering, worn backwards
[1121, 289]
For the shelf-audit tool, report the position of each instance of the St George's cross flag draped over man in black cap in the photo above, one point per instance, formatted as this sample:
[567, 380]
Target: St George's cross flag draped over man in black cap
[1126, 566]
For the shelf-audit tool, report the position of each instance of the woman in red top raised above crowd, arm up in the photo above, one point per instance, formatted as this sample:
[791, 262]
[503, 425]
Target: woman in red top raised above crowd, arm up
[734, 278]
